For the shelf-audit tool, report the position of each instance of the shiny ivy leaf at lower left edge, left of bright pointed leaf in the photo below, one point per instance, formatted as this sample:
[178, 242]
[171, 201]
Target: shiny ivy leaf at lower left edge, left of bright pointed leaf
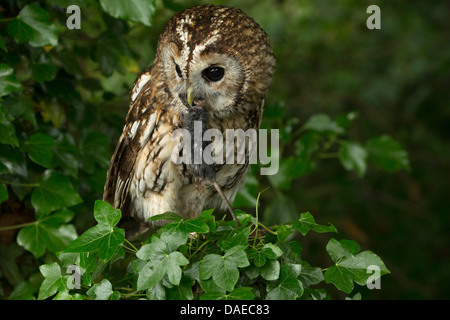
[50, 232]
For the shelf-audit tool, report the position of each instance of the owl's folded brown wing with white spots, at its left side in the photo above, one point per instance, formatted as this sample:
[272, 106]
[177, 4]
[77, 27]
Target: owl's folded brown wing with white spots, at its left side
[121, 169]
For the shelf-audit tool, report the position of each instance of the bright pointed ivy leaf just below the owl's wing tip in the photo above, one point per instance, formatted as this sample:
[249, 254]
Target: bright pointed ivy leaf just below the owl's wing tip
[104, 237]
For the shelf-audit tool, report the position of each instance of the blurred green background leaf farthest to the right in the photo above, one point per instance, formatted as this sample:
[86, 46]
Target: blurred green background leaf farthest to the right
[387, 154]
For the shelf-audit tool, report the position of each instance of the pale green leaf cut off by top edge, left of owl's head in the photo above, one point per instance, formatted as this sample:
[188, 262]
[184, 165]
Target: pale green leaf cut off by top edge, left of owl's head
[133, 10]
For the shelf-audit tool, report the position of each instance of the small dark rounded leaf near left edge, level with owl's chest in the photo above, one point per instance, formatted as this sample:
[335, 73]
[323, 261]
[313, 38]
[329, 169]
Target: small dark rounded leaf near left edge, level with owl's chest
[39, 148]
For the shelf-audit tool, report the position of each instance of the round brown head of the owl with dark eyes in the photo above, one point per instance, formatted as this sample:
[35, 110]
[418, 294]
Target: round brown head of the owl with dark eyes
[215, 57]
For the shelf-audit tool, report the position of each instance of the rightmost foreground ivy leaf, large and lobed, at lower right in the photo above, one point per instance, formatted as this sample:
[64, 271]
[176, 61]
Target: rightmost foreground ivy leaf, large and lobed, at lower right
[350, 266]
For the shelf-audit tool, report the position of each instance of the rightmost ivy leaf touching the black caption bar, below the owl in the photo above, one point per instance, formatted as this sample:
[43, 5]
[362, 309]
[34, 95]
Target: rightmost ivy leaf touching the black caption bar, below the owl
[288, 287]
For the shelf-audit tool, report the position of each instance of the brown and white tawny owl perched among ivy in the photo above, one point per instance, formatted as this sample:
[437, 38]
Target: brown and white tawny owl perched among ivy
[213, 64]
